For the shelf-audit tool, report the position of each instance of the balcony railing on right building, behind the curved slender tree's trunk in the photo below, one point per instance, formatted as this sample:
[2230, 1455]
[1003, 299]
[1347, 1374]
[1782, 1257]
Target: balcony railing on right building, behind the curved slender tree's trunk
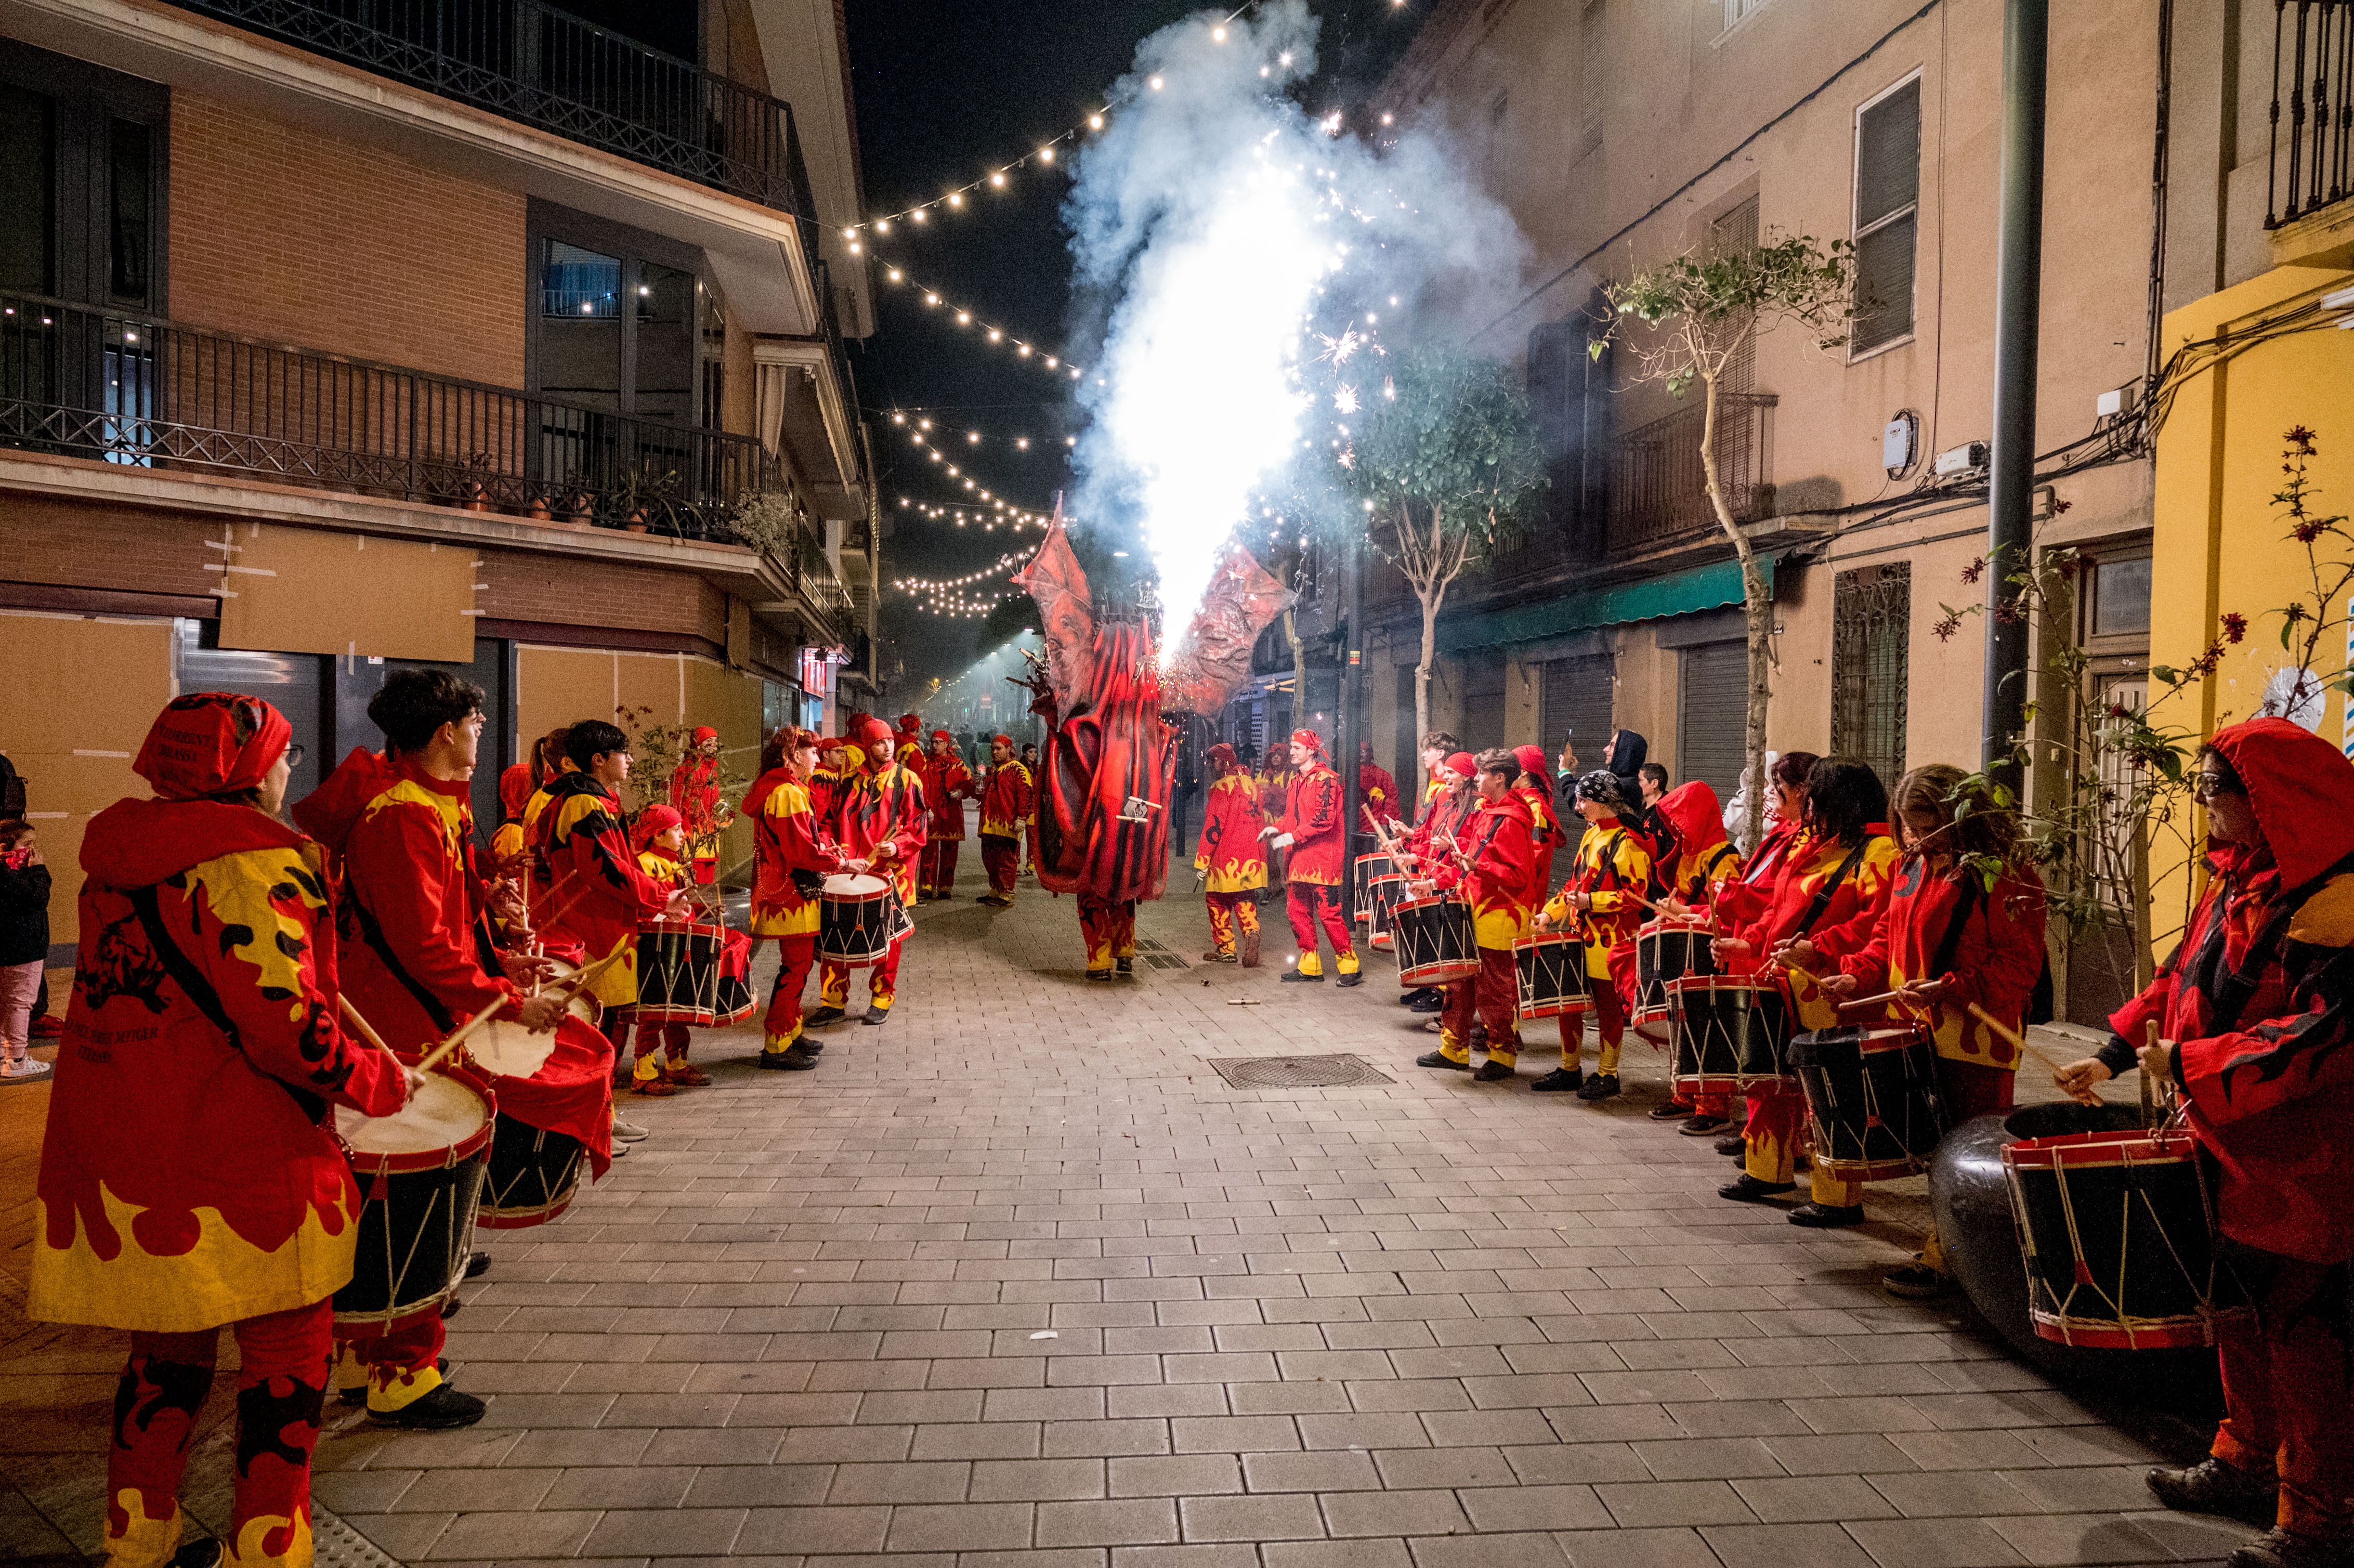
[1658, 484]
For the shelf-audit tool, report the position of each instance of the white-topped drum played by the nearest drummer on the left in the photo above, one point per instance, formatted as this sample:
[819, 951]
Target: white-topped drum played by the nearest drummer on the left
[420, 1188]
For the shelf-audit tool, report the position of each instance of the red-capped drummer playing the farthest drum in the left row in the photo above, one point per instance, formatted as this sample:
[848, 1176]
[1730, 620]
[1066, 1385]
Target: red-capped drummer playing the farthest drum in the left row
[792, 861]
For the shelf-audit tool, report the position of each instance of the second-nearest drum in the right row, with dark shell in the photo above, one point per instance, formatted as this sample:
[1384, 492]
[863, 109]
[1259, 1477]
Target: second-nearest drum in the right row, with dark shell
[1873, 1101]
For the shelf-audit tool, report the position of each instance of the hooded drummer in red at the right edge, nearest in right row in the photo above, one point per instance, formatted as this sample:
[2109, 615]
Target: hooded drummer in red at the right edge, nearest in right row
[2256, 1035]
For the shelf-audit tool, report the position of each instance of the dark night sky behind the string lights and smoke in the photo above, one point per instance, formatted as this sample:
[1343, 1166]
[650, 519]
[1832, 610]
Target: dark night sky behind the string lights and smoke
[943, 95]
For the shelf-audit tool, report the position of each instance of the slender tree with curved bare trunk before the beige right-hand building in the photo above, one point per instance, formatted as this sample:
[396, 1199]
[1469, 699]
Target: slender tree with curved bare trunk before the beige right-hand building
[1701, 314]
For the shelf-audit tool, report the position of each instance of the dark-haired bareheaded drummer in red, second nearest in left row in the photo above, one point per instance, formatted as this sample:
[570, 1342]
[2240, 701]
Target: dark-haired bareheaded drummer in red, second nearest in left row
[415, 908]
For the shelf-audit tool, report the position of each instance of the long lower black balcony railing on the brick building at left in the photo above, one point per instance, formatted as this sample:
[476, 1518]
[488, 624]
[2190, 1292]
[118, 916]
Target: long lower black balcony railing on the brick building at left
[152, 394]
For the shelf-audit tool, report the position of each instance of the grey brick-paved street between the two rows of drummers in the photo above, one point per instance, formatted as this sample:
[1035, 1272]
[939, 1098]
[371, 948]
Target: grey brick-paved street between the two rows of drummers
[1023, 1282]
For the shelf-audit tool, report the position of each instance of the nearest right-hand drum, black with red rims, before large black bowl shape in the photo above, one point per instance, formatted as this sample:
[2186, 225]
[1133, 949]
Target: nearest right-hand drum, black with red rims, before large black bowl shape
[2117, 1240]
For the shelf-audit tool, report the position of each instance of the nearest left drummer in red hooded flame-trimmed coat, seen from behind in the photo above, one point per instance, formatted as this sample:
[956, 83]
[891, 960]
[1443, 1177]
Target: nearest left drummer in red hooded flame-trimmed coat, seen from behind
[189, 1174]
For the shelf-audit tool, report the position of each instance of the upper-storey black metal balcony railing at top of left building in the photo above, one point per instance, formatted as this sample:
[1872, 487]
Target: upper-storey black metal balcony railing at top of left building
[545, 67]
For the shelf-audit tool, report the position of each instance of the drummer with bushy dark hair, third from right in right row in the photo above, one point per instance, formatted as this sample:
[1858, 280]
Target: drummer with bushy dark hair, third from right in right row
[1830, 893]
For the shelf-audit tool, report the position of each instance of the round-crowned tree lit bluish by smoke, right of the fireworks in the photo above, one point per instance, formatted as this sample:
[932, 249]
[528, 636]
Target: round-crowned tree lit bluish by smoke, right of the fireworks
[1442, 470]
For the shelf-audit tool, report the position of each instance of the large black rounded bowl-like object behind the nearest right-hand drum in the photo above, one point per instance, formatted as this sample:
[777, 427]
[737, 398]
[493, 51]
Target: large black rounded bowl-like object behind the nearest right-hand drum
[1971, 1207]
